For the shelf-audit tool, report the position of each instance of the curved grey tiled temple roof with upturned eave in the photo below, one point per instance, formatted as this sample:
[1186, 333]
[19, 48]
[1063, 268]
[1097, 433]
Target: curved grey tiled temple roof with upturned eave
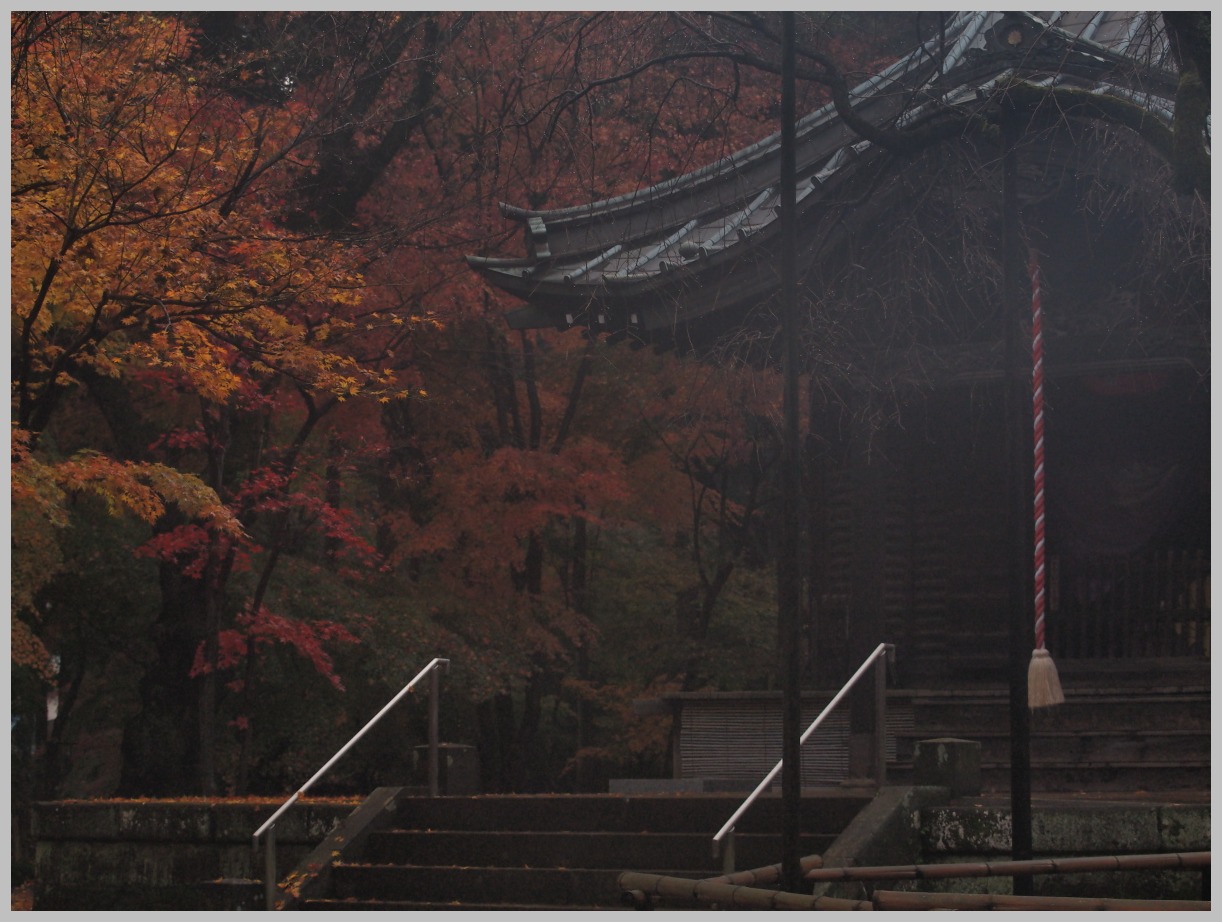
[616, 264]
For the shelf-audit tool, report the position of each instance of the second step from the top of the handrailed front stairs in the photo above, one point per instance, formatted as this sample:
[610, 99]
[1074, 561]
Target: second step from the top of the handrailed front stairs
[690, 852]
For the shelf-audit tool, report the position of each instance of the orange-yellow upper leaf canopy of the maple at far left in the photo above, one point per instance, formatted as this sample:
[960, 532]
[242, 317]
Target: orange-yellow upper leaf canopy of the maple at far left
[134, 211]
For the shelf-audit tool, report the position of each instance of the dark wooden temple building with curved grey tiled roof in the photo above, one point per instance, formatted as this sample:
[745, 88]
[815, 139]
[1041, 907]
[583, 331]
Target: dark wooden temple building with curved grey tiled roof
[907, 303]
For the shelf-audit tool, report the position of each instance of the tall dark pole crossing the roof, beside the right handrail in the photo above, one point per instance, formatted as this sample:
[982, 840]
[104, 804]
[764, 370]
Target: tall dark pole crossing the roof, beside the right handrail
[789, 571]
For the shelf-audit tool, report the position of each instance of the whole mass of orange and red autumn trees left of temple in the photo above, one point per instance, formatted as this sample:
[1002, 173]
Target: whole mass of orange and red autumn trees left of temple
[249, 356]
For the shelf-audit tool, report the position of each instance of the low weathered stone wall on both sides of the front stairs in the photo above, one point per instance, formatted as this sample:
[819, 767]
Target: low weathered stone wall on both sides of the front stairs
[172, 855]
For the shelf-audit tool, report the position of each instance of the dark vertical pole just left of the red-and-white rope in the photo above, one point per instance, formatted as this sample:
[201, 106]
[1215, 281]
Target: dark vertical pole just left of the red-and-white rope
[1019, 484]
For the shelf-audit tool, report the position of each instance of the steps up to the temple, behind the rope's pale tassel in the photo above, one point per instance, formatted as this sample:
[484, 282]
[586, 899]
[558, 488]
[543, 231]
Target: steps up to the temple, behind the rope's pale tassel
[1125, 726]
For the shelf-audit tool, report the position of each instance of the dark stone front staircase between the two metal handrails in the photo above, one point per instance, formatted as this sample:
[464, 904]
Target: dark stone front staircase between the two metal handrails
[544, 852]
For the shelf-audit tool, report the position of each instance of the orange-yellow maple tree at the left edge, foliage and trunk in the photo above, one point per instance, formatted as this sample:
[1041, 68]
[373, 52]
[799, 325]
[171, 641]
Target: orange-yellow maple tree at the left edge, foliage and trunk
[155, 278]
